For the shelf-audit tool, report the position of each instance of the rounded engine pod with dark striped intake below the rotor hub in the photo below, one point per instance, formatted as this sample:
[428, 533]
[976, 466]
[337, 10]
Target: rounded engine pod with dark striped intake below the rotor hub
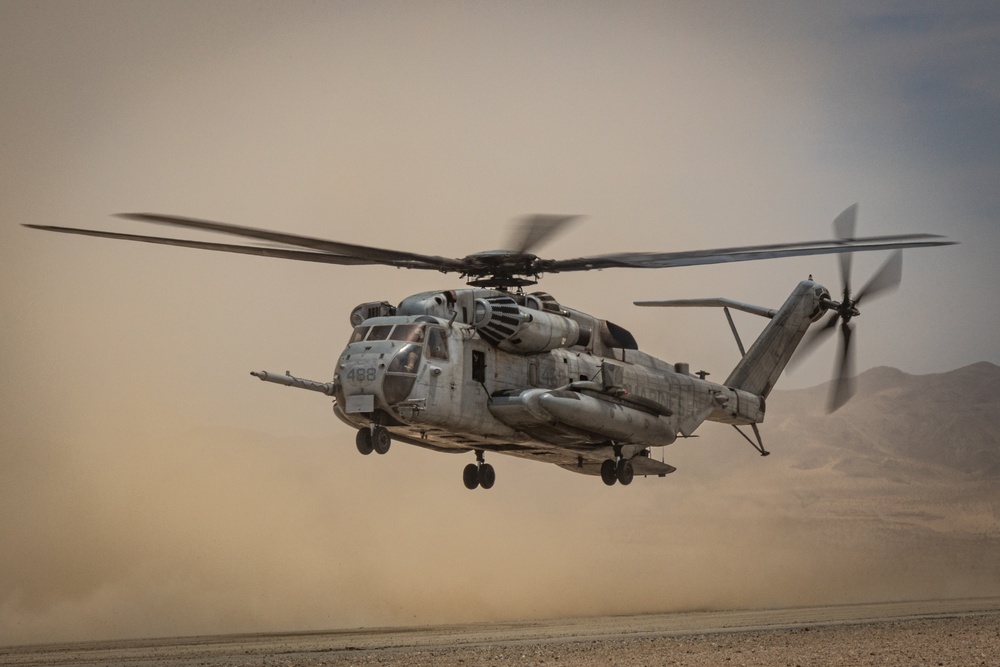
[513, 328]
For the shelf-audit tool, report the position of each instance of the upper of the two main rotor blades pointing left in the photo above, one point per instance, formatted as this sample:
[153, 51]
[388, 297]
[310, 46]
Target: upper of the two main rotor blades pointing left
[371, 254]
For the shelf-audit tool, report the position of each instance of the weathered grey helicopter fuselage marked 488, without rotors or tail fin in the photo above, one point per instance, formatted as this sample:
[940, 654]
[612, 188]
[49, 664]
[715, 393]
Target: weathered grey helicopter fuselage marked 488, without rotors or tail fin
[478, 369]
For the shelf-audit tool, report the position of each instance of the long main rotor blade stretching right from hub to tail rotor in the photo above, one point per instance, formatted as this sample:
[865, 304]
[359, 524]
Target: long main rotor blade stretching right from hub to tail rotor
[653, 260]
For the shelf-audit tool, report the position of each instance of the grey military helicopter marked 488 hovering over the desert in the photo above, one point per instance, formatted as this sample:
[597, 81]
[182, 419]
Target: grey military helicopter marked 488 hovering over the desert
[491, 369]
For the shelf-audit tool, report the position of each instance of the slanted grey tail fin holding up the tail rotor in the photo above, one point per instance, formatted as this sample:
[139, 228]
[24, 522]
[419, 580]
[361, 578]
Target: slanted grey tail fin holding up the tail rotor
[767, 357]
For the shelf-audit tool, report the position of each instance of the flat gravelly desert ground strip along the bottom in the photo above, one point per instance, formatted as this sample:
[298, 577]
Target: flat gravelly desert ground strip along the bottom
[940, 632]
